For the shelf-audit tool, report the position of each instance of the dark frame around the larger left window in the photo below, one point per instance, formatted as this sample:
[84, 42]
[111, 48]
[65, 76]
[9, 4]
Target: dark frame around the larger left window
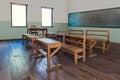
[25, 14]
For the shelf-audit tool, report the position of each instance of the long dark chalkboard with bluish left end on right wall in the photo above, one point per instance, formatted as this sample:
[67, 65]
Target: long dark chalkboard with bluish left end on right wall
[96, 18]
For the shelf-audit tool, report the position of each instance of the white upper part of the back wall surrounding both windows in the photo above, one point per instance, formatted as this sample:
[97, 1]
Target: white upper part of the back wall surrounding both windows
[34, 9]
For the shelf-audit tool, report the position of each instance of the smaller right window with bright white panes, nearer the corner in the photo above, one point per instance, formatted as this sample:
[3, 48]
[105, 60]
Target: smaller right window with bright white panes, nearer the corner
[47, 17]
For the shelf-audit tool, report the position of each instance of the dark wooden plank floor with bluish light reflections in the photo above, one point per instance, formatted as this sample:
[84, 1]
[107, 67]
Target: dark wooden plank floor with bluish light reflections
[16, 65]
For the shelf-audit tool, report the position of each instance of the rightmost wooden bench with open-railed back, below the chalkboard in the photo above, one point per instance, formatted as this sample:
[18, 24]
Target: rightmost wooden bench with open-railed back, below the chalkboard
[102, 37]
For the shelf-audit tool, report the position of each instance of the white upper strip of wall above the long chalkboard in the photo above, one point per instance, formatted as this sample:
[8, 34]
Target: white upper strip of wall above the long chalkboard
[87, 5]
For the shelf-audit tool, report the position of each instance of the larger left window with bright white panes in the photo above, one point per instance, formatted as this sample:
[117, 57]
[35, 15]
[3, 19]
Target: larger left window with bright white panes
[18, 15]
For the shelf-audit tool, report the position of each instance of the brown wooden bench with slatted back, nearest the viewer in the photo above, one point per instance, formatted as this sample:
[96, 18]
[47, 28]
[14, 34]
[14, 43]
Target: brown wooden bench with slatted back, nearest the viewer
[74, 44]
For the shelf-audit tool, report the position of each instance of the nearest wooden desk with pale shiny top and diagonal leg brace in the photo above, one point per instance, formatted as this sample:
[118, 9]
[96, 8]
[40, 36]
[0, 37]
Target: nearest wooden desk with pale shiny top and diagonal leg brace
[50, 44]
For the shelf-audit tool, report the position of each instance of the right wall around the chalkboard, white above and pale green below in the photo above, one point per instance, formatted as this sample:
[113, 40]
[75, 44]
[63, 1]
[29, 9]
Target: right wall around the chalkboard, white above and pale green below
[88, 5]
